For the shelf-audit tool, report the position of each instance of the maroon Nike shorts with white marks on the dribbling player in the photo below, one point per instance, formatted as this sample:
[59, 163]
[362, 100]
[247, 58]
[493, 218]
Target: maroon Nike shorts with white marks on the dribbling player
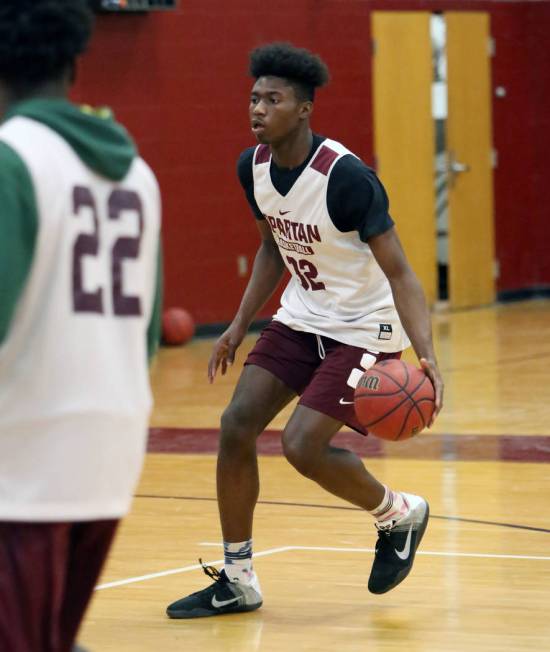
[322, 371]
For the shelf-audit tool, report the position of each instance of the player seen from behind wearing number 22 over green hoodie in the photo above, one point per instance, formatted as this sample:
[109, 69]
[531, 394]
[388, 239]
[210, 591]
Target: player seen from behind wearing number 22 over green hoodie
[79, 306]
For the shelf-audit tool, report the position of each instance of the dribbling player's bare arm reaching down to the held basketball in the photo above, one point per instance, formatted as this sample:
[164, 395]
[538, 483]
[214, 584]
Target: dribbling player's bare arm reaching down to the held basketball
[410, 303]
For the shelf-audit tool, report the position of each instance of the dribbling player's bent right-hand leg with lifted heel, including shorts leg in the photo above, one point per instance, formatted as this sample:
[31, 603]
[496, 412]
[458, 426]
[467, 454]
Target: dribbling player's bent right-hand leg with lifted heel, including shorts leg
[401, 518]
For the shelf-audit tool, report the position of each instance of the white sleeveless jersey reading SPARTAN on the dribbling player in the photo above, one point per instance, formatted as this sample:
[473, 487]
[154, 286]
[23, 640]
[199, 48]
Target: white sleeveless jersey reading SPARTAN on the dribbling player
[337, 289]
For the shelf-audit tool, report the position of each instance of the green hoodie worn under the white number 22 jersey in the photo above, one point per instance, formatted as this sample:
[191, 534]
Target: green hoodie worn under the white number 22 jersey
[103, 145]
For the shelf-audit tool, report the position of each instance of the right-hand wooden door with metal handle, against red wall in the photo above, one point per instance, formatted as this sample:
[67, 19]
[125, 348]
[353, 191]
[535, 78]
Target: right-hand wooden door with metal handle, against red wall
[470, 159]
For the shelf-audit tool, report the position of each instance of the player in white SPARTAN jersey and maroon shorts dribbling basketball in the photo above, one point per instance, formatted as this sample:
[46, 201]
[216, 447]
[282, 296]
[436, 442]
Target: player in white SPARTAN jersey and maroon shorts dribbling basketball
[352, 300]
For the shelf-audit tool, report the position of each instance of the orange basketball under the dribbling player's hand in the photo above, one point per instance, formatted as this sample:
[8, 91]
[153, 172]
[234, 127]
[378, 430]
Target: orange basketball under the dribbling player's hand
[394, 400]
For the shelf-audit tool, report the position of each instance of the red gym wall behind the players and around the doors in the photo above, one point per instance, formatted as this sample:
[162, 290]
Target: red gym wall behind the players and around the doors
[178, 81]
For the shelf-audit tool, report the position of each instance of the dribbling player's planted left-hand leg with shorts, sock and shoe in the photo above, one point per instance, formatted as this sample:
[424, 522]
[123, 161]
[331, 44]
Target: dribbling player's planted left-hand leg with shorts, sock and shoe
[279, 367]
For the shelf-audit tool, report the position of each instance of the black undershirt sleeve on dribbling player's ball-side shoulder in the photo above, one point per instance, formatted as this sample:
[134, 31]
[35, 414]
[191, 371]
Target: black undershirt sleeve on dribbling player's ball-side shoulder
[356, 199]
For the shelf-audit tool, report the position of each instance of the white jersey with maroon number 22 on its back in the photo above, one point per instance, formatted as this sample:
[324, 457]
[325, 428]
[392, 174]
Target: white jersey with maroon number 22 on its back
[74, 386]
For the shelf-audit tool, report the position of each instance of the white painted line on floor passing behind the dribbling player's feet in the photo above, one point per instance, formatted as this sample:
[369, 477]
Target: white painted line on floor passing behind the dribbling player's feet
[274, 551]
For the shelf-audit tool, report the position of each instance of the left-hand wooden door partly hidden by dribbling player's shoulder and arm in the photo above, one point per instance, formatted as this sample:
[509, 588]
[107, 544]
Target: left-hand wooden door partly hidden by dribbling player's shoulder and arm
[404, 133]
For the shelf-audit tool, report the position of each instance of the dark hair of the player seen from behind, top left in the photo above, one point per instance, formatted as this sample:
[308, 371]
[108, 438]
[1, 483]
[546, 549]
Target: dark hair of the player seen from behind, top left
[40, 40]
